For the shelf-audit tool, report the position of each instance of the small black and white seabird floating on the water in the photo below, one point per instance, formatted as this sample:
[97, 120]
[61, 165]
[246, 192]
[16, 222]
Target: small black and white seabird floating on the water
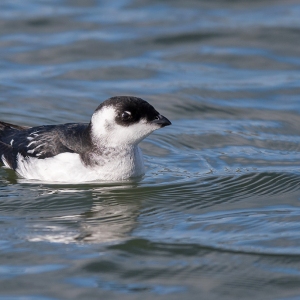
[104, 149]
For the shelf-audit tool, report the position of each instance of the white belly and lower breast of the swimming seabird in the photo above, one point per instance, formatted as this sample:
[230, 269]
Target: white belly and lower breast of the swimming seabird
[68, 167]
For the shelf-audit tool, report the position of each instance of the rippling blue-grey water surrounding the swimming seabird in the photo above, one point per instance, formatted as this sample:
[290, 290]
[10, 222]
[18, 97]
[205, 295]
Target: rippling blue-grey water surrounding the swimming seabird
[217, 214]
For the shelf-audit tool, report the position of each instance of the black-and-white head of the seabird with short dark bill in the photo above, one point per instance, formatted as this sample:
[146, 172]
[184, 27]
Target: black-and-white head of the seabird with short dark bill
[125, 121]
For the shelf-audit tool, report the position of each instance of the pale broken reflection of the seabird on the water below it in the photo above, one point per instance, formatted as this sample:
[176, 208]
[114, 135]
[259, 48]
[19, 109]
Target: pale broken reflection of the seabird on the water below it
[101, 216]
